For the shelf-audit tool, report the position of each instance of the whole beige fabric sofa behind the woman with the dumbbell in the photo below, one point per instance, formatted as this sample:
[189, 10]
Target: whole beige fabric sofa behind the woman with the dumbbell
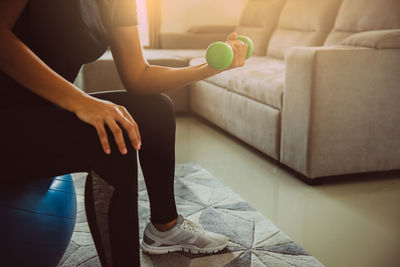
[322, 92]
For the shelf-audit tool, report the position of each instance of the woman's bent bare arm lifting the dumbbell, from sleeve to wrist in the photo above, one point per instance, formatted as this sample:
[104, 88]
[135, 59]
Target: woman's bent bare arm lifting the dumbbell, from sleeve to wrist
[141, 78]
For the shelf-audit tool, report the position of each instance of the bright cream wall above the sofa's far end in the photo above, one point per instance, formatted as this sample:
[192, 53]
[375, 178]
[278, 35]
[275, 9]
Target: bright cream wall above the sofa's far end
[179, 15]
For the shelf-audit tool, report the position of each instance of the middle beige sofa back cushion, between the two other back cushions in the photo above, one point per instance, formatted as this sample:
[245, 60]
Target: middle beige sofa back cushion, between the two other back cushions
[303, 23]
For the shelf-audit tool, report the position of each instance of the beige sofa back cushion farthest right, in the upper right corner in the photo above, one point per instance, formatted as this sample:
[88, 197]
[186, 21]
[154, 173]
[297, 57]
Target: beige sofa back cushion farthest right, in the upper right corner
[364, 15]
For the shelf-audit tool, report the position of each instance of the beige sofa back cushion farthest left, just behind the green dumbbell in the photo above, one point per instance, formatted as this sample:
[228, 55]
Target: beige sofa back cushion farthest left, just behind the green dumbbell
[258, 21]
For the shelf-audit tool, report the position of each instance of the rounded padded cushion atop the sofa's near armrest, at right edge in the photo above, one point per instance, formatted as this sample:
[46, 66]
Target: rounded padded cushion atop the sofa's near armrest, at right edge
[381, 39]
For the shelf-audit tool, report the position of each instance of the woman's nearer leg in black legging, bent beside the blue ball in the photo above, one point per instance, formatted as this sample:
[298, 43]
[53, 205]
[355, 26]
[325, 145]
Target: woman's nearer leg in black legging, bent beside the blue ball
[47, 141]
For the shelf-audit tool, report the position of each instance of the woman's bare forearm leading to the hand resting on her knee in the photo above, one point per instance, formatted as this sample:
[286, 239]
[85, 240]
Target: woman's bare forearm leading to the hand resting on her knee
[21, 64]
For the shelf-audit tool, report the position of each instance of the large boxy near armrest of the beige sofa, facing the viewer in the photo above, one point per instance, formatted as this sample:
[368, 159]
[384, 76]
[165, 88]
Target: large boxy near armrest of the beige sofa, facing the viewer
[341, 111]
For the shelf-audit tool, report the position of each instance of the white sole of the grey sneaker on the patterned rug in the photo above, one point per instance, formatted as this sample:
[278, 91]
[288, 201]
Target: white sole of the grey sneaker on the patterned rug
[184, 248]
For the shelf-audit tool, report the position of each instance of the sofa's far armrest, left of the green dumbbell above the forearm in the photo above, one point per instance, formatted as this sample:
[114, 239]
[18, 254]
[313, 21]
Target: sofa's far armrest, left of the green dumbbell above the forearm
[189, 40]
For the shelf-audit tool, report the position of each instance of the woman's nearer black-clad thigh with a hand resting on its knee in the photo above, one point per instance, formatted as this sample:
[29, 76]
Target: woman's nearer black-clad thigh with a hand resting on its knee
[49, 141]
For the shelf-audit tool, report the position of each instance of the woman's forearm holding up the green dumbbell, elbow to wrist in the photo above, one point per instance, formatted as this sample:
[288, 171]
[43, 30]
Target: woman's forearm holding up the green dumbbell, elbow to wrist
[157, 79]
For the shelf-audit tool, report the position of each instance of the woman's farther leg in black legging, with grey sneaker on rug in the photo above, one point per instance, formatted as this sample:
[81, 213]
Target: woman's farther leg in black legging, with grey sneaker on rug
[157, 158]
